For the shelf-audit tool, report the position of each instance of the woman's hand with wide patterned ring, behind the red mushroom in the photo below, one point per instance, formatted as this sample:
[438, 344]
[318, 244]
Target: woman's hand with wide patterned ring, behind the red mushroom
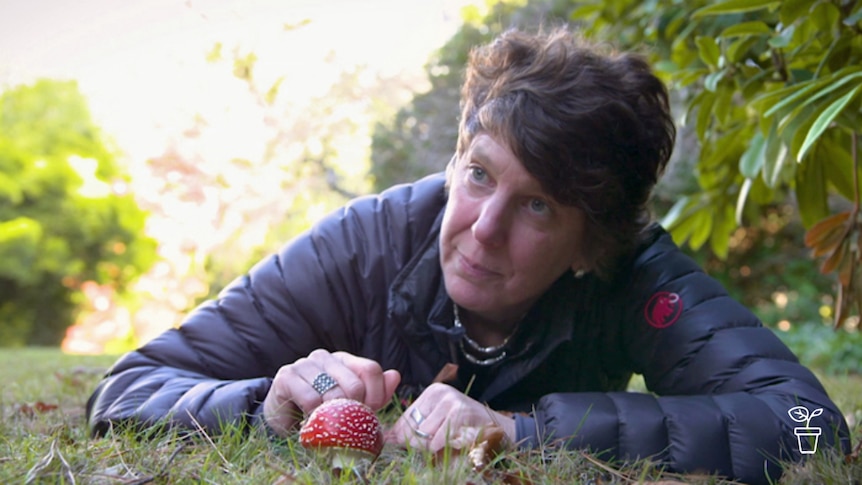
[293, 391]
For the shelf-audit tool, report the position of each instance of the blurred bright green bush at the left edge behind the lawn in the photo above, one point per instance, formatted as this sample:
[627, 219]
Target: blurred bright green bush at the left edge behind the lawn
[65, 214]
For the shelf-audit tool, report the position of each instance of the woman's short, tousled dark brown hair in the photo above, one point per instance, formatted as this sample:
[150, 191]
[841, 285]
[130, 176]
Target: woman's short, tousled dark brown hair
[593, 126]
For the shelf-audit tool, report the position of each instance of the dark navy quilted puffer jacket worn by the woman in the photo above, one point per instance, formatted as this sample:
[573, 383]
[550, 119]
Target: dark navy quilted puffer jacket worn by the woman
[367, 280]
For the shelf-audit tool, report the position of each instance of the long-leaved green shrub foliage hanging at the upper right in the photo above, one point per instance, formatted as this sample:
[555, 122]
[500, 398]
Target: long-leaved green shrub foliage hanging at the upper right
[772, 89]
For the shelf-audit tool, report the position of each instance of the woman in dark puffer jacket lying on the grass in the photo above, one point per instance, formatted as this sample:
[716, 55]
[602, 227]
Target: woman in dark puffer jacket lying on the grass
[521, 288]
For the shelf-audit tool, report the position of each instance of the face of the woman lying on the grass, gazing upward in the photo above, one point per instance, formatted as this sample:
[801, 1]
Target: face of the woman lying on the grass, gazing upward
[504, 241]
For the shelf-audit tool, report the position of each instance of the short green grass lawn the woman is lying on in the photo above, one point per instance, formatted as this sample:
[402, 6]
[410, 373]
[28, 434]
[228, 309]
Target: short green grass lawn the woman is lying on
[43, 439]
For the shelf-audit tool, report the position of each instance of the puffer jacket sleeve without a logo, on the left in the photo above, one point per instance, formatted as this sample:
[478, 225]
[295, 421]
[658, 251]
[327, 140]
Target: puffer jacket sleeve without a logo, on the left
[325, 289]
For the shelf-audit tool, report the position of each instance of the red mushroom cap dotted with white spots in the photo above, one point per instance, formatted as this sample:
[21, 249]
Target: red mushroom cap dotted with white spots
[343, 423]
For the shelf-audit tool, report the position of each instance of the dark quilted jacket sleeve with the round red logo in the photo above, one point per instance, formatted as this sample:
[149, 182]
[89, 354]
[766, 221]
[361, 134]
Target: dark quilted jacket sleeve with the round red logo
[721, 384]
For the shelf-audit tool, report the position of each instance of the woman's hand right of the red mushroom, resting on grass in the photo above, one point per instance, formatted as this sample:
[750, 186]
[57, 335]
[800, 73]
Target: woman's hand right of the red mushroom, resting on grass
[443, 415]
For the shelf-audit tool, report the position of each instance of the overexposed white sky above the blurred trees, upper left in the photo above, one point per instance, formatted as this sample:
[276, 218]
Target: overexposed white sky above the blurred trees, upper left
[142, 63]
